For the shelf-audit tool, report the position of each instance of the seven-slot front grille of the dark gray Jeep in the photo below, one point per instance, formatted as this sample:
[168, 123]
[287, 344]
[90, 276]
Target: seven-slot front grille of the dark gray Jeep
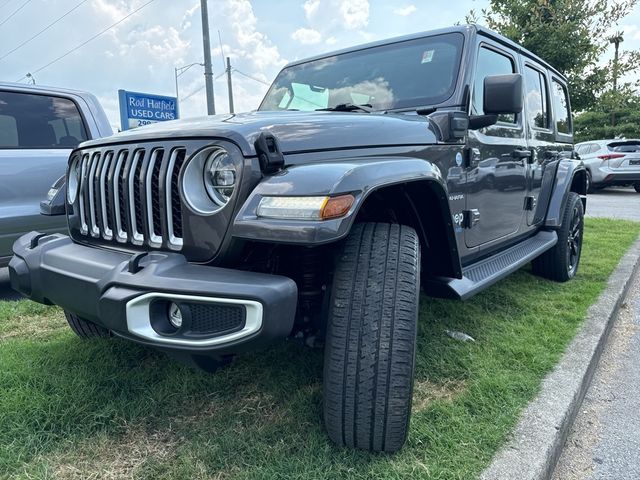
[131, 196]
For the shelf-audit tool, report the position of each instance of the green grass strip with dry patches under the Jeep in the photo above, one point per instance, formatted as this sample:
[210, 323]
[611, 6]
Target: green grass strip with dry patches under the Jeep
[111, 409]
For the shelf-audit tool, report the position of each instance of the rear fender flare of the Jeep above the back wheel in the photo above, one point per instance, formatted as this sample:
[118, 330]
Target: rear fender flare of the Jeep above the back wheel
[569, 174]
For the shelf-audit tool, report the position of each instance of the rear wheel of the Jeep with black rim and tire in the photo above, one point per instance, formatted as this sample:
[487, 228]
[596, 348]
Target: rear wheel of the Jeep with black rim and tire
[561, 262]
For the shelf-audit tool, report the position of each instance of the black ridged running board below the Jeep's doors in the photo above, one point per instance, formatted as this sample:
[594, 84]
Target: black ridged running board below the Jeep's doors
[480, 275]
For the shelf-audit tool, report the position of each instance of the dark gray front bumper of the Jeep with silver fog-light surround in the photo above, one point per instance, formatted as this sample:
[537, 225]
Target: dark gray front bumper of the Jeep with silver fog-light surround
[127, 294]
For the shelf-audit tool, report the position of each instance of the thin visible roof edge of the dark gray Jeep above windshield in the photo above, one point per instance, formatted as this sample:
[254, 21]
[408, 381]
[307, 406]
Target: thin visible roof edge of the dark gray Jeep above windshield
[466, 30]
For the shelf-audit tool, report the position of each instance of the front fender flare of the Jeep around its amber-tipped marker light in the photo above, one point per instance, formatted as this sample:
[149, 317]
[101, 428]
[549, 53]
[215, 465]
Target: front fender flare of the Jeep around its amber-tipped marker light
[358, 177]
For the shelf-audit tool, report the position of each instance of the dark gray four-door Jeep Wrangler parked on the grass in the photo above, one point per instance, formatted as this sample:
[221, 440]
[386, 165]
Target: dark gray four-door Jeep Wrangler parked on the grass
[441, 160]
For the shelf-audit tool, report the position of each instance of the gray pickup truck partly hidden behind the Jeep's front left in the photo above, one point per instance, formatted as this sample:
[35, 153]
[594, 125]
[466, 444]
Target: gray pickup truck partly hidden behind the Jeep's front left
[39, 126]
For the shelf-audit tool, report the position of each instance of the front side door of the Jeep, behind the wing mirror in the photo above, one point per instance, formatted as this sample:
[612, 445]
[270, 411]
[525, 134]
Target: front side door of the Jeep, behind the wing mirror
[496, 175]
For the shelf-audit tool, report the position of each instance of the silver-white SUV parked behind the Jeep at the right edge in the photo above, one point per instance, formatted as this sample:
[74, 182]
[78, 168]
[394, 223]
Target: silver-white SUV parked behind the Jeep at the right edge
[611, 162]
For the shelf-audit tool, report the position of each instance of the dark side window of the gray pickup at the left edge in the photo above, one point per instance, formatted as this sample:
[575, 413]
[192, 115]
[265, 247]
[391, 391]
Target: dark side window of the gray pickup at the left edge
[39, 121]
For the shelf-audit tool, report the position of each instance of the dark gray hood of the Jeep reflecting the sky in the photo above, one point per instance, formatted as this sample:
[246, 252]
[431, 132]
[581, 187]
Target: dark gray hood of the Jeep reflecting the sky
[295, 131]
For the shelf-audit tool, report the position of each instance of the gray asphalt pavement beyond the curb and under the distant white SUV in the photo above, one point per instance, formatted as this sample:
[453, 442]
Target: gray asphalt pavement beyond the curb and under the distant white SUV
[605, 439]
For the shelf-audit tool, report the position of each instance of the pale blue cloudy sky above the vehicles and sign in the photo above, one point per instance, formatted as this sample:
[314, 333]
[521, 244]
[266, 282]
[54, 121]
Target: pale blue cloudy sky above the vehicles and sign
[260, 37]
